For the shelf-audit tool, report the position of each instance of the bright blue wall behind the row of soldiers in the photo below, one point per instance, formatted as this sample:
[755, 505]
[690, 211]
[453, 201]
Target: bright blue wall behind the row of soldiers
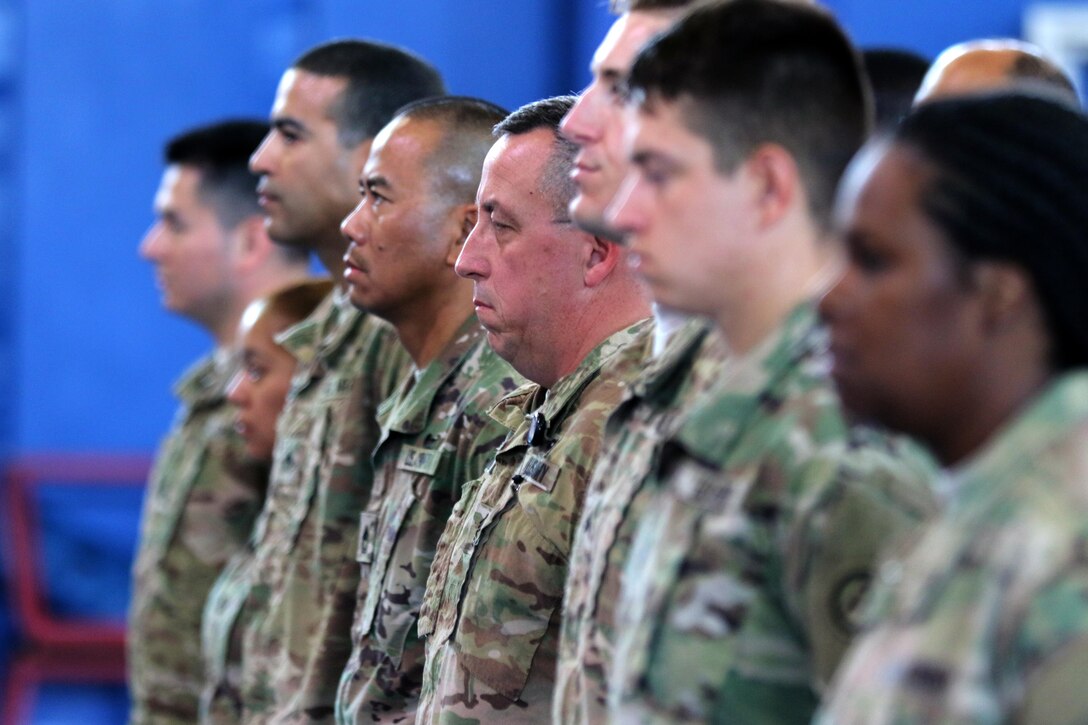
[86, 354]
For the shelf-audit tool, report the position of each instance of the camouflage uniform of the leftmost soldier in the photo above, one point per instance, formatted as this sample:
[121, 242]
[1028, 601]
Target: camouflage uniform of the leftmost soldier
[200, 508]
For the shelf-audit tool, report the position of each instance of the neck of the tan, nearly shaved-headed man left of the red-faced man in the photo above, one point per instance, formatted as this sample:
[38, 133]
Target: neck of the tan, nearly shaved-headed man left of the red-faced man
[430, 324]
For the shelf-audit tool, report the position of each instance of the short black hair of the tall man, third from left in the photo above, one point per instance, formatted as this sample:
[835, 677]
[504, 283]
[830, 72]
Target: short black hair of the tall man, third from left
[380, 78]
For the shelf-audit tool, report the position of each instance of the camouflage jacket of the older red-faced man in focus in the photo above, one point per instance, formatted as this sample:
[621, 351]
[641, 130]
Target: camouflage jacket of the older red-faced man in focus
[491, 611]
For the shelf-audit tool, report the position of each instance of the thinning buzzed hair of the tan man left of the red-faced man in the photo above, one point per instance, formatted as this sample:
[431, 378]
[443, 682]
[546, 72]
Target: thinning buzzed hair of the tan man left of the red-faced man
[454, 167]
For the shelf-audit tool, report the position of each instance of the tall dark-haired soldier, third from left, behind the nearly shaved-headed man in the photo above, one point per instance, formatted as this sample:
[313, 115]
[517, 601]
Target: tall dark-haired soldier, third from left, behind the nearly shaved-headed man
[298, 635]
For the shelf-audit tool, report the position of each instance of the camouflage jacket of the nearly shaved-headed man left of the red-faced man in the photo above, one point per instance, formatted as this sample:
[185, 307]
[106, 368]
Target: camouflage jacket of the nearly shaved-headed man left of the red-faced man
[436, 437]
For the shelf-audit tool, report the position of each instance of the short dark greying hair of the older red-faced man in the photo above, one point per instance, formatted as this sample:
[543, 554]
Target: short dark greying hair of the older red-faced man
[548, 114]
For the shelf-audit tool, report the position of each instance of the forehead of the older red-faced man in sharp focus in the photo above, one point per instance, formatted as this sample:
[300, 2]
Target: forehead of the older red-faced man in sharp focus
[513, 171]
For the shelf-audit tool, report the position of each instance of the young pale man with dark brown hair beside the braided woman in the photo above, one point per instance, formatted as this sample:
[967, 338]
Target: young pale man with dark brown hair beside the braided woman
[765, 511]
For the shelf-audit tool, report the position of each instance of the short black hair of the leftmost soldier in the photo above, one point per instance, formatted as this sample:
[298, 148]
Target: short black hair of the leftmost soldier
[220, 152]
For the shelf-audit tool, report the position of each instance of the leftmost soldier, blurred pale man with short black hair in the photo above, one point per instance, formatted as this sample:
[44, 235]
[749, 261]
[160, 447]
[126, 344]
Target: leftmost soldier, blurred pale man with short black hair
[213, 257]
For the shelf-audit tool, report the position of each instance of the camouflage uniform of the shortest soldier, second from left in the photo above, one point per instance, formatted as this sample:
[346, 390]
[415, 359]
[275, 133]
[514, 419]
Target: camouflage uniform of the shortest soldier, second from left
[221, 642]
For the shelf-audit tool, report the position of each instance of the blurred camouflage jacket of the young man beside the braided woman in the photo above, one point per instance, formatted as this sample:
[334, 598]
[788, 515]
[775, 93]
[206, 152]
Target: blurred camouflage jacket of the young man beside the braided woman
[764, 520]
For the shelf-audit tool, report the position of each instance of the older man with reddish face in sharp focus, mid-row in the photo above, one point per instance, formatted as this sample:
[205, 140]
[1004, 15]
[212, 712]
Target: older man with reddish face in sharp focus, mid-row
[566, 311]
